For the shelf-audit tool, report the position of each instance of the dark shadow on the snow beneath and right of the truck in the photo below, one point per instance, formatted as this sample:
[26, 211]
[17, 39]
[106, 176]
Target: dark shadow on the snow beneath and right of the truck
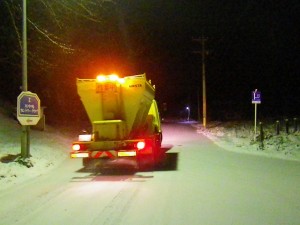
[129, 174]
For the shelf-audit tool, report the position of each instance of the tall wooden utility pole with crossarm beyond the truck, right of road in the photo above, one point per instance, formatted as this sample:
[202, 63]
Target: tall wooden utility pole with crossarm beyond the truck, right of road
[202, 41]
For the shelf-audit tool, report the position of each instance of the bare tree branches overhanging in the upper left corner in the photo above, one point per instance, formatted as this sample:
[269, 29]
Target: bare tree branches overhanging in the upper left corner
[51, 23]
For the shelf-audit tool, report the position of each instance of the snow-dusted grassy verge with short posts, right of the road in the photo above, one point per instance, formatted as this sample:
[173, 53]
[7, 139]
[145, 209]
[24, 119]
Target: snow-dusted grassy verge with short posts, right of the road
[239, 137]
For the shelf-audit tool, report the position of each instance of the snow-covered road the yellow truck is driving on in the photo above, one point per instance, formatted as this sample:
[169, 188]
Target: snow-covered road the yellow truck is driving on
[200, 184]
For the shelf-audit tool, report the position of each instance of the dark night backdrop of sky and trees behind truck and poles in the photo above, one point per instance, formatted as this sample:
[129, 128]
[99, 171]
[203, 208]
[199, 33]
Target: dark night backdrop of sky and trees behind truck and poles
[250, 43]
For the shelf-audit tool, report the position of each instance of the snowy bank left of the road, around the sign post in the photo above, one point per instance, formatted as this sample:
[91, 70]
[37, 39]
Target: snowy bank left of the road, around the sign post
[48, 149]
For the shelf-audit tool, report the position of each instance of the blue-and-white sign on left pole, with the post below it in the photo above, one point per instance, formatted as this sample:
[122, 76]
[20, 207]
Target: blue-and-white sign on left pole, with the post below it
[28, 113]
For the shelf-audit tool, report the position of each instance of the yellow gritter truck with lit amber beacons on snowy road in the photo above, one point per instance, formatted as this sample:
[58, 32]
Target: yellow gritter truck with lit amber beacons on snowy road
[126, 128]
